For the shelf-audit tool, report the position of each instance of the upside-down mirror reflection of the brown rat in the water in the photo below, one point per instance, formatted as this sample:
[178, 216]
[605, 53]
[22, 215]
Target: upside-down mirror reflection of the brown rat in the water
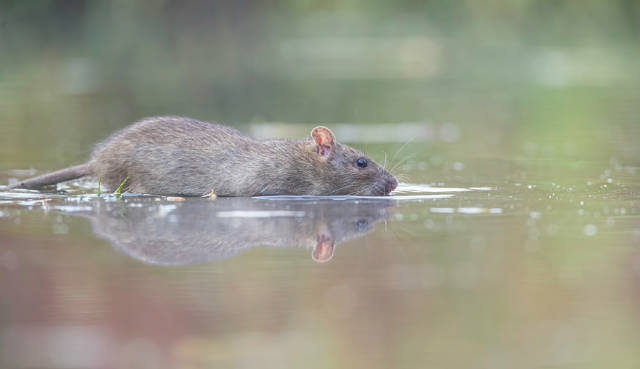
[198, 231]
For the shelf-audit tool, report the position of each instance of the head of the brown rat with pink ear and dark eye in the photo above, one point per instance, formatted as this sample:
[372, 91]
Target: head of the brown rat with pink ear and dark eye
[343, 170]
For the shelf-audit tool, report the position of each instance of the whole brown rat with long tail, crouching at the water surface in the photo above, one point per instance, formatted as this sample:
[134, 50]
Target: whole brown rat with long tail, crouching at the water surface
[183, 156]
